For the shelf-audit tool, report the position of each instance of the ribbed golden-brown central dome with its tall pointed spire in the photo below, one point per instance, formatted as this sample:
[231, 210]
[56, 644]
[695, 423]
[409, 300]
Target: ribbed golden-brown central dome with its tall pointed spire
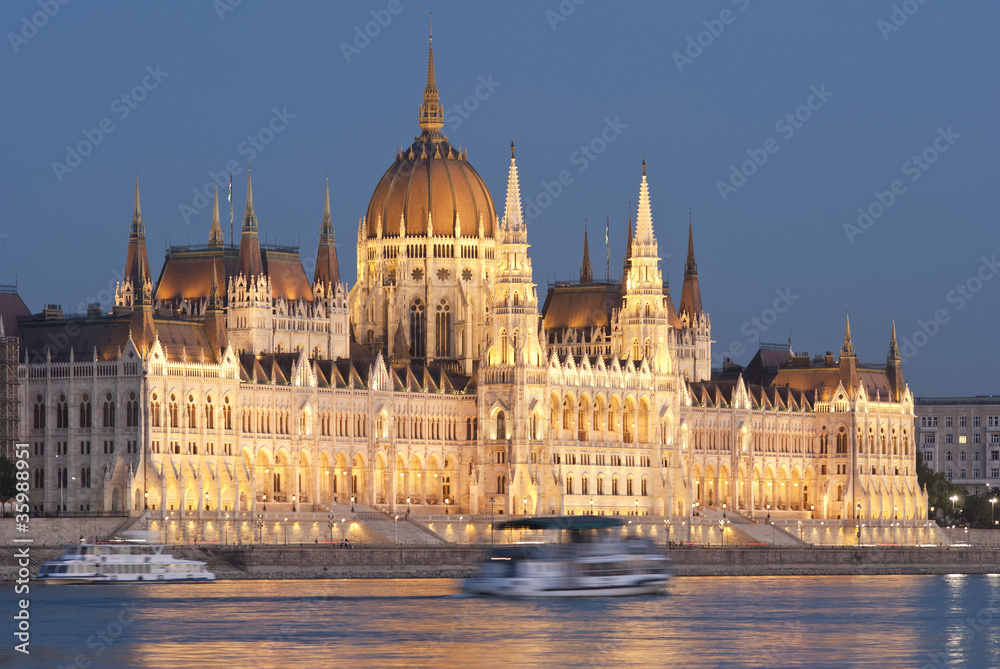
[431, 178]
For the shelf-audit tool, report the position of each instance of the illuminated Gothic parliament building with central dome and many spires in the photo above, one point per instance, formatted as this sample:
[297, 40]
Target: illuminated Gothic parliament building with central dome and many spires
[234, 383]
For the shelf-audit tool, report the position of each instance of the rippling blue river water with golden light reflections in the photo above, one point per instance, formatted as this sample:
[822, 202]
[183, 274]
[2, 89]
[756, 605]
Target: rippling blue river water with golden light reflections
[814, 621]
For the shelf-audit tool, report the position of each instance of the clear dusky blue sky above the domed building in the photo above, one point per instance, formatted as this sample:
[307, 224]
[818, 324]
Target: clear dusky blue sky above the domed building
[833, 157]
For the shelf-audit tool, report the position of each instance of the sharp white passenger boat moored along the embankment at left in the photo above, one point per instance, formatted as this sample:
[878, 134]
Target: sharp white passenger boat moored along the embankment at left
[120, 563]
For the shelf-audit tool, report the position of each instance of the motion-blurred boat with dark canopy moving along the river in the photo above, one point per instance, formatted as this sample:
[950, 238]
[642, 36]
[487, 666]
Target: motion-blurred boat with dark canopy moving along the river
[592, 563]
